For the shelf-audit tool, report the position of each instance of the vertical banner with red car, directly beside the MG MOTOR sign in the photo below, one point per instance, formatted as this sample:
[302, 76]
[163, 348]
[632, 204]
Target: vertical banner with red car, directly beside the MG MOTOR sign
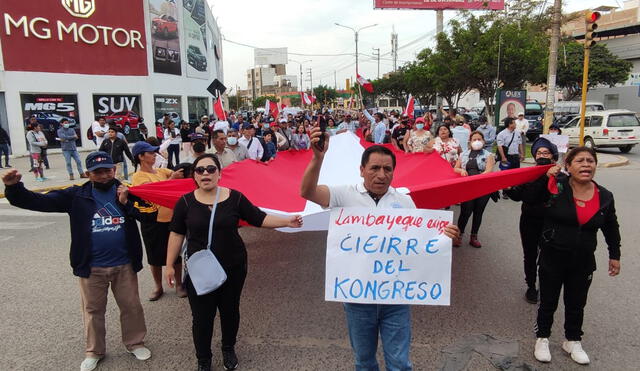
[165, 36]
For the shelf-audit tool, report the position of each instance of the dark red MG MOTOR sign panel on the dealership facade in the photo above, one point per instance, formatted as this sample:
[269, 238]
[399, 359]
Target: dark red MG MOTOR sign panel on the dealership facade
[98, 37]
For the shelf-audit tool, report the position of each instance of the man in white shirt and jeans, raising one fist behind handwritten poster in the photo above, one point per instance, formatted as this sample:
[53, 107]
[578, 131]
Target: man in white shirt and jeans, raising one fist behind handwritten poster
[366, 321]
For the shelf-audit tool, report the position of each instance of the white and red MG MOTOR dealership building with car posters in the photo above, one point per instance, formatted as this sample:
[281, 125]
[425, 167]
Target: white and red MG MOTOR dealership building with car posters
[127, 60]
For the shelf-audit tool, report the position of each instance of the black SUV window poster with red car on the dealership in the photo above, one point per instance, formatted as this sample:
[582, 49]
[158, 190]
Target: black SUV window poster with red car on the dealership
[122, 110]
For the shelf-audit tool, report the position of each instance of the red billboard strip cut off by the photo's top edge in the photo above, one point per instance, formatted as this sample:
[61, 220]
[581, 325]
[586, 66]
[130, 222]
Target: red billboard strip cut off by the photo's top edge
[440, 4]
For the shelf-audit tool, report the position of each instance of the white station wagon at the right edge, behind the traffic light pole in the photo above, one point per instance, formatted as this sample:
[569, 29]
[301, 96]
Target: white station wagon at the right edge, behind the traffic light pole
[605, 129]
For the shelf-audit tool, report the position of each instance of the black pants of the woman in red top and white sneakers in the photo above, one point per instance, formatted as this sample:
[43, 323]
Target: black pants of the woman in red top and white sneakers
[576, 281]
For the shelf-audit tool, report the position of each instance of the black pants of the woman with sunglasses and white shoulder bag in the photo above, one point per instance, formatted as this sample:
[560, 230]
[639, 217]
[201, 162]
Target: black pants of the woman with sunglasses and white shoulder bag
[226, 299]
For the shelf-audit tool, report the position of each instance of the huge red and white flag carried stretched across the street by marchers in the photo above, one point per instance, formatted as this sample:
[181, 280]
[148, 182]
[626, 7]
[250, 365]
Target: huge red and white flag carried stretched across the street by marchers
[427, 179]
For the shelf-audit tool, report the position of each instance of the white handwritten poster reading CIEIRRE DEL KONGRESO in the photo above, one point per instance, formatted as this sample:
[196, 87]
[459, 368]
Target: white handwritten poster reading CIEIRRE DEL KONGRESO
[388, 256]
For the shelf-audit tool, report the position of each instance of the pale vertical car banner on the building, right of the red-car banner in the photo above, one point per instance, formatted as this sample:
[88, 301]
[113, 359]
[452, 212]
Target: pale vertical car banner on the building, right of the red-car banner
[195, 31]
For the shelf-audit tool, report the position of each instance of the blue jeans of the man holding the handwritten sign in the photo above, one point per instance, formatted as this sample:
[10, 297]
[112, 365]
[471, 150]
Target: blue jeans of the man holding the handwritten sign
[393, 322]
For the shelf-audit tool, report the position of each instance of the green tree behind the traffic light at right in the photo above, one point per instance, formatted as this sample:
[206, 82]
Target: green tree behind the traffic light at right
[604, 68]
